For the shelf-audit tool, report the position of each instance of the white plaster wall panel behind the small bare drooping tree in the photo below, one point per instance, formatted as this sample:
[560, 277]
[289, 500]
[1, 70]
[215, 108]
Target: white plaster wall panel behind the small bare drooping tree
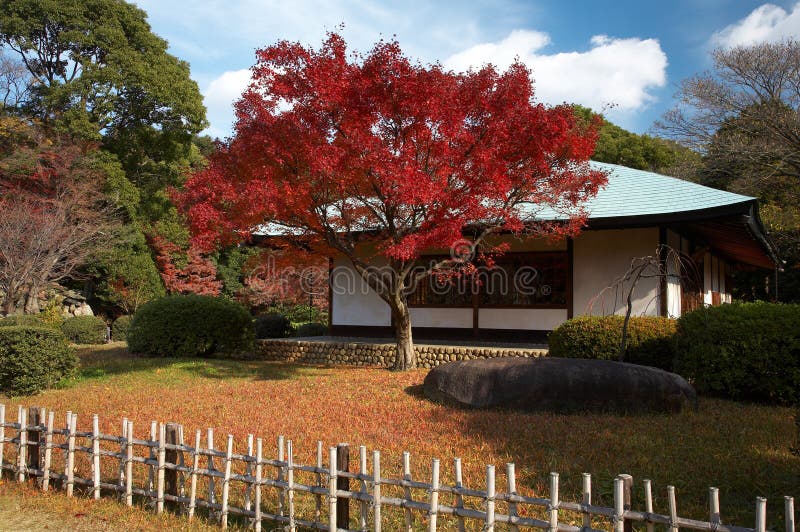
[602, 256]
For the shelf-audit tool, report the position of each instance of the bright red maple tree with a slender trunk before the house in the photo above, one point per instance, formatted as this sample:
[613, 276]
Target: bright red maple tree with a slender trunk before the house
[344, 152]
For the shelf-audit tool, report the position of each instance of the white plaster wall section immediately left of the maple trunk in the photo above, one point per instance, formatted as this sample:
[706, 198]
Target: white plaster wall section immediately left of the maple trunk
[354, 303]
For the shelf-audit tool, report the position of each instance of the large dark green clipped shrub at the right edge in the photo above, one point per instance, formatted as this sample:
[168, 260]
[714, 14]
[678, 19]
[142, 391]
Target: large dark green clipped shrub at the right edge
[742, 351]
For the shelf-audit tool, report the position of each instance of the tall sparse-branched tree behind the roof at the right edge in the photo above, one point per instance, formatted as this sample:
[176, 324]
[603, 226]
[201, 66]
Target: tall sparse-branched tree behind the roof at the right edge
[744, 117]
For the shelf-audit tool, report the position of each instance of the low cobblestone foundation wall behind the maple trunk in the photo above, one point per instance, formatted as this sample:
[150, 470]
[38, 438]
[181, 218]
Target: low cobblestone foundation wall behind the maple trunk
[363, 354]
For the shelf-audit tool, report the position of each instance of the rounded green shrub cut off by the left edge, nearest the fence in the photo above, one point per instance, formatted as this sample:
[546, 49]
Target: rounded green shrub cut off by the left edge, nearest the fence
[33, 359]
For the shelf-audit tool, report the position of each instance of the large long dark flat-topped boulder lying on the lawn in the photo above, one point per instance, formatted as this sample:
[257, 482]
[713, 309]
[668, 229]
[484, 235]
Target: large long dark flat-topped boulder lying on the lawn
[559, 384]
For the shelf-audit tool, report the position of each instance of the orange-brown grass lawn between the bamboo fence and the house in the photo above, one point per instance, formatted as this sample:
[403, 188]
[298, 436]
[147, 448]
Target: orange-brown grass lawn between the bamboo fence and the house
[740, 448]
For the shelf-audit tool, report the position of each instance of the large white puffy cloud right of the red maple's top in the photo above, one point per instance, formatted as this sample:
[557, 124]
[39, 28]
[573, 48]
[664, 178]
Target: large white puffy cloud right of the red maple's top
[618, 72]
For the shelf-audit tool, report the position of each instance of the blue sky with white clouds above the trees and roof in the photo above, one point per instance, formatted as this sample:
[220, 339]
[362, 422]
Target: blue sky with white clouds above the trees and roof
[624, 57]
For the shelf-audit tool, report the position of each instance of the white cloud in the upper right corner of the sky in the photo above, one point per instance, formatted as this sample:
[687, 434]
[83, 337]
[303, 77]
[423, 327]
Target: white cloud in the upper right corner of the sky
[767, 23]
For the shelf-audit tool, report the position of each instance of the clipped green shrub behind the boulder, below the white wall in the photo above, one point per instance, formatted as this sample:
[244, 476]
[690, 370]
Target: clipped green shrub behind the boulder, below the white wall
[599, 337]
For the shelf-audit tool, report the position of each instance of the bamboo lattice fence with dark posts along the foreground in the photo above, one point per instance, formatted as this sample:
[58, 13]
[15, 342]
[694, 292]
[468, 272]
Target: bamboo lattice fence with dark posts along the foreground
[161, 471]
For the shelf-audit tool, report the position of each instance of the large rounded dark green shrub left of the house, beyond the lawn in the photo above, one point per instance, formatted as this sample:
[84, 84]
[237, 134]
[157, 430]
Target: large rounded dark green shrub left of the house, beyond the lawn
[190, 325]
